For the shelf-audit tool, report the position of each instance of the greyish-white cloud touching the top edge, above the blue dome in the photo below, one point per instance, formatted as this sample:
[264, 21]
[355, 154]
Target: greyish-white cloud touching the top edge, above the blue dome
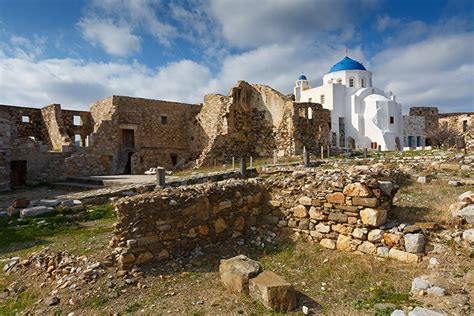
[249, 23]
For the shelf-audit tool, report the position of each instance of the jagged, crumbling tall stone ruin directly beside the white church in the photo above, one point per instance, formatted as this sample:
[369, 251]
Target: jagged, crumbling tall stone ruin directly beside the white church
[255, 120]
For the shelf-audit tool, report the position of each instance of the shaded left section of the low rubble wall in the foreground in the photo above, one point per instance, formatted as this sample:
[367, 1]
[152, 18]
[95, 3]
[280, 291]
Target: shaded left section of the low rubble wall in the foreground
[171, 222]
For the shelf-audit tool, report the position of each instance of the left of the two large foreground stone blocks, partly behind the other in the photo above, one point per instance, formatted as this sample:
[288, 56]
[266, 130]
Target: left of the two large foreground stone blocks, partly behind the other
[237, 271]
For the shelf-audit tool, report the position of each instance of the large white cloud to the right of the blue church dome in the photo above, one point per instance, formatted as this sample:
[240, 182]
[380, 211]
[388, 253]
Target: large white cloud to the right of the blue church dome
[437, 71]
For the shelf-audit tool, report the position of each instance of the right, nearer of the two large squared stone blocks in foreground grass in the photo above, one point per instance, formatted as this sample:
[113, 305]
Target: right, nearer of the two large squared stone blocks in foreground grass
[273, 292]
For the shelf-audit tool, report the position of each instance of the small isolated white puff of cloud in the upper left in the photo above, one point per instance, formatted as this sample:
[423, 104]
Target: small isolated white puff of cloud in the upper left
[115, 39]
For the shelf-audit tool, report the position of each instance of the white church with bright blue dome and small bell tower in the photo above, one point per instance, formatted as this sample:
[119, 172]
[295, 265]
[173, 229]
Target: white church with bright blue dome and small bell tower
[362, 116]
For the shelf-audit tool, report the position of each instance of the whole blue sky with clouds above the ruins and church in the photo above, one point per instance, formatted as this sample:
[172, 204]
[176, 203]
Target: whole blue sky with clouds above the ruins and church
[75, 52]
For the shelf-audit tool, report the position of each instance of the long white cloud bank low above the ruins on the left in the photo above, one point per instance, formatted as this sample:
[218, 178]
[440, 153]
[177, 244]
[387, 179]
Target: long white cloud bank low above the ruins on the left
[76, 83]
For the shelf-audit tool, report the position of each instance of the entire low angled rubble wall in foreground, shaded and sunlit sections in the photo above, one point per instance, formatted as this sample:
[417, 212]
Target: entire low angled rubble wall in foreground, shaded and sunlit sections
[338, 209]
